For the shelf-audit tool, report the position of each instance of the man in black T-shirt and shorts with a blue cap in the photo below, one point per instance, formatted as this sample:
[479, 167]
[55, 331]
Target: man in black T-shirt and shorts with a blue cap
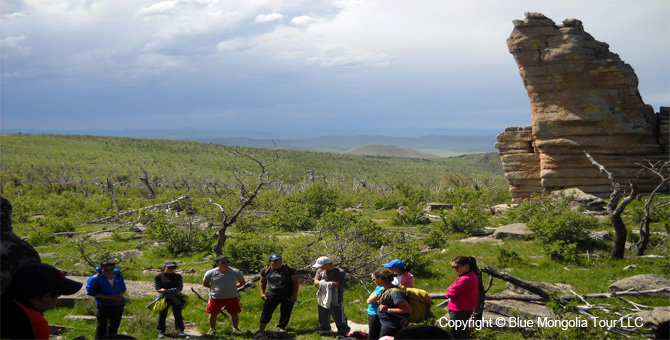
[282, 281]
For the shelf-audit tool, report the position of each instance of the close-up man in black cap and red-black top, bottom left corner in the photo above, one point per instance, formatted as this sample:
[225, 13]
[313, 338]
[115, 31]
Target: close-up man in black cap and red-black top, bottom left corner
[33, 289]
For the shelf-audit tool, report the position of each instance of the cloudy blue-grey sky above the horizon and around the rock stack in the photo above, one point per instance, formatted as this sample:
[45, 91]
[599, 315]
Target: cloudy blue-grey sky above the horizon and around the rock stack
[346, 67]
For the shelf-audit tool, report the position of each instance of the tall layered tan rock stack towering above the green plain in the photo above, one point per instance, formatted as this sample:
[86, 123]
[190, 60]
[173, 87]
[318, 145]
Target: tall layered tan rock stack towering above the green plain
[583, 98]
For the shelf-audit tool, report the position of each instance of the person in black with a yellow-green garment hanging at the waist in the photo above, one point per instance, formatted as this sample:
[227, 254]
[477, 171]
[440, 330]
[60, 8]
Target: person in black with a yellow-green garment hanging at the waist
[169, 284]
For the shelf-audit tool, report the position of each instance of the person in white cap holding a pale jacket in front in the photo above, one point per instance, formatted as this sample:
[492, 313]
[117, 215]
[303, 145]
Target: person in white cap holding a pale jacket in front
[330, 297]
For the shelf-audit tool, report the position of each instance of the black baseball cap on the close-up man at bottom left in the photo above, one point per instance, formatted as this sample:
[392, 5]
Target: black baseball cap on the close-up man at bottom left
[40, 278]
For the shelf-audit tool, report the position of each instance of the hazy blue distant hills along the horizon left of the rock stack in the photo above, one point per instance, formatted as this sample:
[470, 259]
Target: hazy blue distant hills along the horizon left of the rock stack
[459, 143]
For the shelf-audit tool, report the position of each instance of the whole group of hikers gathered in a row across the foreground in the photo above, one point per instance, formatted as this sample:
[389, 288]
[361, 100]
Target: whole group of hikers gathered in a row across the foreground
[35, 288]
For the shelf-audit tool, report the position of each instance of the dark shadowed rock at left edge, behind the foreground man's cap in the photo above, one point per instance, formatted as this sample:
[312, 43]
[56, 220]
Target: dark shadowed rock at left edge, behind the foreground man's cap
[14, 252]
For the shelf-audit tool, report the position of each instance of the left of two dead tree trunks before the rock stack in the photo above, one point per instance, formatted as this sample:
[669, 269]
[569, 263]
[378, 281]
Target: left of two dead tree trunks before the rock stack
[615, 208]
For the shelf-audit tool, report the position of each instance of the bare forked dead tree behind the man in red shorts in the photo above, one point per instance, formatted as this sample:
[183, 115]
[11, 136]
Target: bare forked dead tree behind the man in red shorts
[246, 196]
